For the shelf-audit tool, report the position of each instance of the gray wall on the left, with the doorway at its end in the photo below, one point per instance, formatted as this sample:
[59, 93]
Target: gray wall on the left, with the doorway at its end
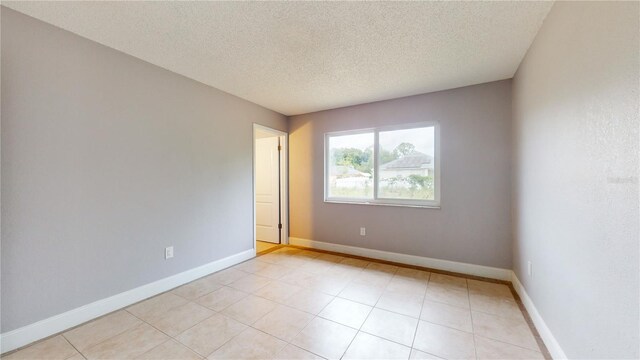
[106, 160]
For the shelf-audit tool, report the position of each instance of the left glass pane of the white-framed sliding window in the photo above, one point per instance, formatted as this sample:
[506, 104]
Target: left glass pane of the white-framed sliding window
[351, 166]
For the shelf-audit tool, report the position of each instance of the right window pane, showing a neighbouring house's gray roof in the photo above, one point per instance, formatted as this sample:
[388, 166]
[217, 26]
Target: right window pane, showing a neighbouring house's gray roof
[406, 160]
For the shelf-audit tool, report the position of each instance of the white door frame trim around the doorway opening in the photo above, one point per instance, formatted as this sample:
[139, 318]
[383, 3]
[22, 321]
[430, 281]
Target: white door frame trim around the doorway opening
[284, 181]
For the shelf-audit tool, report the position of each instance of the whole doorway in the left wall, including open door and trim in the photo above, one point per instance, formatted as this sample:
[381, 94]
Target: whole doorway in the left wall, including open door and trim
[269, 187]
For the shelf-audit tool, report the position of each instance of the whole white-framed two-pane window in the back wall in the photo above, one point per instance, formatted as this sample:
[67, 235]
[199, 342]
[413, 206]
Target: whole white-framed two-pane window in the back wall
[387, 166]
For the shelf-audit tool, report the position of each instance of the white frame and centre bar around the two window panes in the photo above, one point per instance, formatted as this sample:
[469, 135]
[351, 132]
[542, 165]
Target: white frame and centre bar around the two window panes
[433, 204]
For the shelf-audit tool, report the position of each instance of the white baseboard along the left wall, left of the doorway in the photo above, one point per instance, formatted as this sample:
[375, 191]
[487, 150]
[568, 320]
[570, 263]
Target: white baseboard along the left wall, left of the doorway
[55, 324]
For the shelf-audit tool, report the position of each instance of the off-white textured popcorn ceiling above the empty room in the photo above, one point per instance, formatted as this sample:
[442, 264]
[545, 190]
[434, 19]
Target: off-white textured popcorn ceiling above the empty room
[299, 57]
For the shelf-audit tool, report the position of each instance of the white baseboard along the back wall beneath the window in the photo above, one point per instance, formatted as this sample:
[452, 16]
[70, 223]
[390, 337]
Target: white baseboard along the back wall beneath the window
[445, 265]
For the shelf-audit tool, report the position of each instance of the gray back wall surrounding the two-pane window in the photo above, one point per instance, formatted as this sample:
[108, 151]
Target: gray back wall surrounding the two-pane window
[473, 225]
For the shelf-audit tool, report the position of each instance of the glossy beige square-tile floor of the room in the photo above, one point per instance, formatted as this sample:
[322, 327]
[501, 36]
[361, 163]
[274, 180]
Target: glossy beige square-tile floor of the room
[300, 304]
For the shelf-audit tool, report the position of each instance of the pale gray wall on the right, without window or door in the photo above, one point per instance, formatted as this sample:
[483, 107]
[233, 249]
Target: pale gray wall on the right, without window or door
[576, 177]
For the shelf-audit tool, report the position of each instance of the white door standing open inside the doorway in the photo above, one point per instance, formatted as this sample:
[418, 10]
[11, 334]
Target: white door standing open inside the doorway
[267, 194]
